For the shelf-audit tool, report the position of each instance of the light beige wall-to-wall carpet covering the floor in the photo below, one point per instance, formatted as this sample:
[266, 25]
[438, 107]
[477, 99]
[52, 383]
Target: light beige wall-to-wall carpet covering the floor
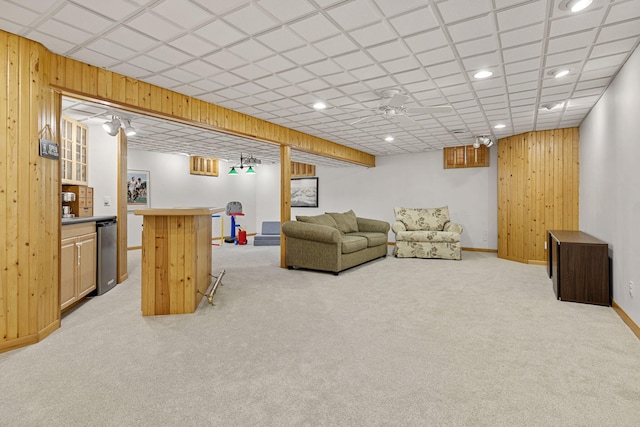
[395, 342]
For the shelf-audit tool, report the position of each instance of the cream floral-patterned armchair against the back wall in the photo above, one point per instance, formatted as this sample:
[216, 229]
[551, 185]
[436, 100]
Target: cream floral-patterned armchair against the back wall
[426, 233]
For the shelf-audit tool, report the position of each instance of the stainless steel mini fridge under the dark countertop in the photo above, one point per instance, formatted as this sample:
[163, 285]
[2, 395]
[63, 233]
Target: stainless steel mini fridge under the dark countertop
[107, 255]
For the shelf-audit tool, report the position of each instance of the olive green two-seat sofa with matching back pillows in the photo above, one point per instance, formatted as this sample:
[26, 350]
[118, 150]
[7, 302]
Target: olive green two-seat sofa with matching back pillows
[334, 241]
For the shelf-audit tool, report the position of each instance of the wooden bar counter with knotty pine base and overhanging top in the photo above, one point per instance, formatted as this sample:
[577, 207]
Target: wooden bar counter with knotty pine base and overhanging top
[176, 258]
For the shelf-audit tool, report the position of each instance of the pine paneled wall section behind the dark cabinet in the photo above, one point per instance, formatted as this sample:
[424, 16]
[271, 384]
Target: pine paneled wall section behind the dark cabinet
[537, 191]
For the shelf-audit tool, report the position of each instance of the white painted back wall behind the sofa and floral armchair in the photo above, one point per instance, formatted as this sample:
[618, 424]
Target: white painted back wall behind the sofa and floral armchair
[412, 180]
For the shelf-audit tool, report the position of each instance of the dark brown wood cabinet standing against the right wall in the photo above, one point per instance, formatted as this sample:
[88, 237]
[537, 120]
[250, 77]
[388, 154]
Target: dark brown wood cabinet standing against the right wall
[578, 266]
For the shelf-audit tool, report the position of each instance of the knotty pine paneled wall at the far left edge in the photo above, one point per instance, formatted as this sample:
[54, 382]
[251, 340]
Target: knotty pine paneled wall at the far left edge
[29, 196]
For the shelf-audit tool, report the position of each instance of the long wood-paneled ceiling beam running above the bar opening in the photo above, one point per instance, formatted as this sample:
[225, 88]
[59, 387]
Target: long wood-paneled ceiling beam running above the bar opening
[94, 84]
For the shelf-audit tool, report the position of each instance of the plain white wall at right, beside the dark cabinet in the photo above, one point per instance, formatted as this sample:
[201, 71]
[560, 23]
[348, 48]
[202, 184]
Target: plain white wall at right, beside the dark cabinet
[609, 180]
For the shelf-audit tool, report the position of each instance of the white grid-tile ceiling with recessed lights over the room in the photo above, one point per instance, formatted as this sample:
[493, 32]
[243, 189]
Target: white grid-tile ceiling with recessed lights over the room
[273, 59]
